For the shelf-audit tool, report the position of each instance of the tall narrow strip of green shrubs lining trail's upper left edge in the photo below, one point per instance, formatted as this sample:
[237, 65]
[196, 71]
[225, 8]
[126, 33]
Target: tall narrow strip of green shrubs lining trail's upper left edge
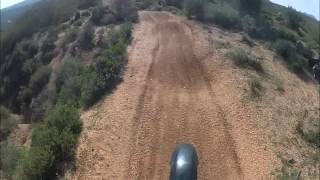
[105, 73]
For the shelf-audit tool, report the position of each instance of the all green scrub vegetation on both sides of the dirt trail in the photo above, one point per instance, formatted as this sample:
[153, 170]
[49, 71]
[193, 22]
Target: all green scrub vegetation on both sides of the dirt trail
[63, 56]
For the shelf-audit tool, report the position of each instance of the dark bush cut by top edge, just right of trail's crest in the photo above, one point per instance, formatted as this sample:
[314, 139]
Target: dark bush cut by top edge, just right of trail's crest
[195, 8]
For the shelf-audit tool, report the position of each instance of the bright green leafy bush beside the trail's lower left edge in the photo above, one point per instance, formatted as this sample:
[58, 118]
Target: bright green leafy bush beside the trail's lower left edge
[61, 127]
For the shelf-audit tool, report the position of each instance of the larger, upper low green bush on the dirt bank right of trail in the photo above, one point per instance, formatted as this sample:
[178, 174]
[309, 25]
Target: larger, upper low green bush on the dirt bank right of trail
[243, 59]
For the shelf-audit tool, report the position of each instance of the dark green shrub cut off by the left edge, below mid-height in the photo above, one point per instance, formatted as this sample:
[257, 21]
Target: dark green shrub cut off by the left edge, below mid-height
[7, 123]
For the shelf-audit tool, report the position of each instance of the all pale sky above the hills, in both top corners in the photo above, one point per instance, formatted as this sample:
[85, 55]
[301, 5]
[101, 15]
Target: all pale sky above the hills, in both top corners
[308, 6]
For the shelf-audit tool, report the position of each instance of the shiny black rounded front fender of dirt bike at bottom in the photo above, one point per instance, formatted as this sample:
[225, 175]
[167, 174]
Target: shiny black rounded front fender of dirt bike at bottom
[184, 163]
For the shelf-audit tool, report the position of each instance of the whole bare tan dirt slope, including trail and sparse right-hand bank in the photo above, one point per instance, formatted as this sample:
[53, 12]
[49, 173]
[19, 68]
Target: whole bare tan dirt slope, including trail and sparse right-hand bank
[180, 87]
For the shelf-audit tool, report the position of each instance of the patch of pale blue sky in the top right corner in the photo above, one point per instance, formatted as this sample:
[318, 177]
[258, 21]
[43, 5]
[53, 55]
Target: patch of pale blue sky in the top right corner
[311, 7]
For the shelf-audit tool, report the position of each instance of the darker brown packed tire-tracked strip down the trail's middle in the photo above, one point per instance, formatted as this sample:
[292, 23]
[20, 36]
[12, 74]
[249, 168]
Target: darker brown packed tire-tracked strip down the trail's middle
[175, 71]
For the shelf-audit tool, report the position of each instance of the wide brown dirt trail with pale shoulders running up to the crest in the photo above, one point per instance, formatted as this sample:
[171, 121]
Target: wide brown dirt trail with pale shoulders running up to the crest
[169, 96]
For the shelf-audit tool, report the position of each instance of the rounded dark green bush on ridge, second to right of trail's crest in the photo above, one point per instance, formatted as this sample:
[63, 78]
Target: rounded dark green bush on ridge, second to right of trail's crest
[223, 15]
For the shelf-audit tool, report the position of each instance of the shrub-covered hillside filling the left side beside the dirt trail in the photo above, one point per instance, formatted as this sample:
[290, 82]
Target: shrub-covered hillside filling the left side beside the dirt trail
[50, 97]
